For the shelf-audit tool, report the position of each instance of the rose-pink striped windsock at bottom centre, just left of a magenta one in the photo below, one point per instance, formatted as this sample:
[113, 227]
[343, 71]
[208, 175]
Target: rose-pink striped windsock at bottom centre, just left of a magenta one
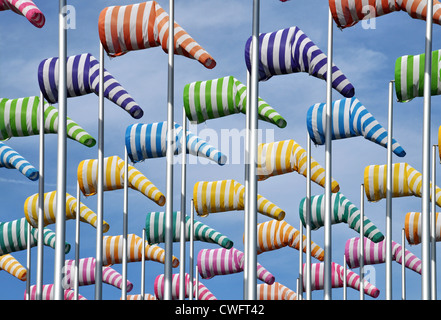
[204, 293]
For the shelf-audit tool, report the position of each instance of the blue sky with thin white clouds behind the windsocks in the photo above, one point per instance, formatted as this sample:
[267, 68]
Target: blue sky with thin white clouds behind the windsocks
[366, 56]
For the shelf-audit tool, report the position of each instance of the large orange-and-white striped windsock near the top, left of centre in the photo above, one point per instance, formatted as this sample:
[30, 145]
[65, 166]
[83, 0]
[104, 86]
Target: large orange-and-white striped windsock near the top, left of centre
[142, 26]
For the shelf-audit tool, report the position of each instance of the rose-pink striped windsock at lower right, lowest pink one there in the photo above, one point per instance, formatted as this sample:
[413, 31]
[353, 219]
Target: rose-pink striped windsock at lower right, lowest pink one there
[337, 273]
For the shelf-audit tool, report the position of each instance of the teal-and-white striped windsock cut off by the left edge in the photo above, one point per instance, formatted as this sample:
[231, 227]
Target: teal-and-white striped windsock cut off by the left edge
[13, 236]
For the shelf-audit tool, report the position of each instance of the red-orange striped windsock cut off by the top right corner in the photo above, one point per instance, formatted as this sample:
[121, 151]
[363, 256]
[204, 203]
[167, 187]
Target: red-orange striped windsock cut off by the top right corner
[347, 13]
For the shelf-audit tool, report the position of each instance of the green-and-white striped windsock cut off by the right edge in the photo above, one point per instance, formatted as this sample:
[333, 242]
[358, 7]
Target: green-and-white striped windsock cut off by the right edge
[409, 76]
